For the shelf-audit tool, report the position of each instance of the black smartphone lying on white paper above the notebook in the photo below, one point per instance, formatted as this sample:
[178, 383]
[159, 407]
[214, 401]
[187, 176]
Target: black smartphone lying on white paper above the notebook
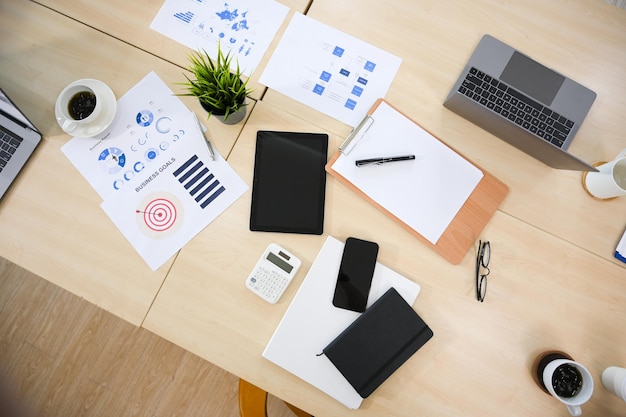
[355, 274]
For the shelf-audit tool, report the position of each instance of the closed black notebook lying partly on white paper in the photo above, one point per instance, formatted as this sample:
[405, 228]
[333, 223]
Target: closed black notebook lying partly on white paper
[384, 337]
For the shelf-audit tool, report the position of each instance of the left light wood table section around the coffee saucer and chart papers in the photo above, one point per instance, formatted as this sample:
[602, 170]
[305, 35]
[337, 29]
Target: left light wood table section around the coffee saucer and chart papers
[51, 219]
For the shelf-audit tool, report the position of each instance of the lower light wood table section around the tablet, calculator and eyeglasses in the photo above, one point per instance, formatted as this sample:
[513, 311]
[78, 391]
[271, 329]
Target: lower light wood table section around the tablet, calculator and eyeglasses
[544, 293]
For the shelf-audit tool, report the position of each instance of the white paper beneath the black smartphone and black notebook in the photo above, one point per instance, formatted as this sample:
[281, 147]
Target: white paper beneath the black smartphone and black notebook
[311, 322]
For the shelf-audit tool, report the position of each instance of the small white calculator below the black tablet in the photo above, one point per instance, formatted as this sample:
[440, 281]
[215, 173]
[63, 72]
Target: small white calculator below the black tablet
[273, 273]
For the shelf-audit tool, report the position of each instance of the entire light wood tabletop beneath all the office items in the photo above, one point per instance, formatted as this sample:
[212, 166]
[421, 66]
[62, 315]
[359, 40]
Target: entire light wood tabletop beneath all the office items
[554, 283]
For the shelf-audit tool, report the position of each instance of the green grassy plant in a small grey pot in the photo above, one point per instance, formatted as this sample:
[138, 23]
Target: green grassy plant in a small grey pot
[221, 92]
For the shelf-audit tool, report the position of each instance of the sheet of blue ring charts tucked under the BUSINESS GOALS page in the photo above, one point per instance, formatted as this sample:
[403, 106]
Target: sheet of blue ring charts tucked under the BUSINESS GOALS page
[145, 130]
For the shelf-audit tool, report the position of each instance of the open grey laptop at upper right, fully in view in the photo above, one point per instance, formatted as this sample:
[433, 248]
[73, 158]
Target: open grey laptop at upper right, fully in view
[521, 101]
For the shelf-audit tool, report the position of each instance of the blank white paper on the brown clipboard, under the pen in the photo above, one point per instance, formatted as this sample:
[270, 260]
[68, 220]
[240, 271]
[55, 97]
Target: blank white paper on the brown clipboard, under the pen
[425, 193]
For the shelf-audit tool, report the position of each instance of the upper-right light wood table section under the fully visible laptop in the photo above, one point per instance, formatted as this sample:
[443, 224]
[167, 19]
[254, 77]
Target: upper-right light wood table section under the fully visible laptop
[435, 39]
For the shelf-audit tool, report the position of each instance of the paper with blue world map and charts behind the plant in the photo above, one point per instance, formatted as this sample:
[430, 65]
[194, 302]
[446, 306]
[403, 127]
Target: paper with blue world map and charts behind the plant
[245, 27]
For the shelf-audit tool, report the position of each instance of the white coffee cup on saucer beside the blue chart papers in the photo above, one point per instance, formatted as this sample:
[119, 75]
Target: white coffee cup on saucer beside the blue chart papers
[72, 96]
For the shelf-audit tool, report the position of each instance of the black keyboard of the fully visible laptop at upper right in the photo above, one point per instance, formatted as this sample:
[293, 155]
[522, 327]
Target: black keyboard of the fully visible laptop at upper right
[517, 107]
